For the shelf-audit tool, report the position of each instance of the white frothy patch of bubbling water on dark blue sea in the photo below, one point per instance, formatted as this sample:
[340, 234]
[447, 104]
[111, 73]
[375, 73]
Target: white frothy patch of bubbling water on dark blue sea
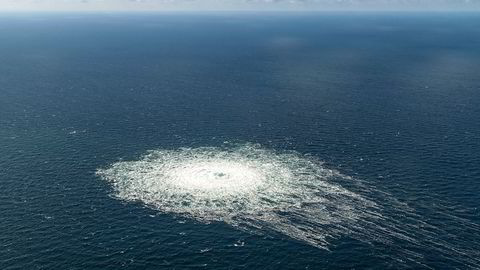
[245, 186]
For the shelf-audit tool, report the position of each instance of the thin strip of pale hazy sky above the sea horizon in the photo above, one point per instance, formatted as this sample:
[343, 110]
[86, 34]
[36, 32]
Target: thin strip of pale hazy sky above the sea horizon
[16, 5]
